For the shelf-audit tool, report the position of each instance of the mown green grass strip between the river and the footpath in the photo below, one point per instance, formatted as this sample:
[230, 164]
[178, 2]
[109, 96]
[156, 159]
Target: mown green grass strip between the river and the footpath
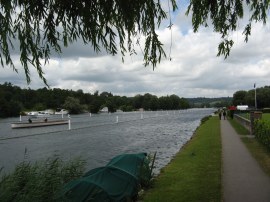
[195, 172]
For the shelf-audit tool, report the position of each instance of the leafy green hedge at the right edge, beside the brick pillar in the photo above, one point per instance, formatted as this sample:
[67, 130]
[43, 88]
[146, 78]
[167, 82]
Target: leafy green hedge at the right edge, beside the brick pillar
[262, 131]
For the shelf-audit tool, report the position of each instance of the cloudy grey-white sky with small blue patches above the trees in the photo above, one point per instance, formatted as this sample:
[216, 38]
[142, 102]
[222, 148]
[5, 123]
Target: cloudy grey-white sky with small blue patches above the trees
[193, 71]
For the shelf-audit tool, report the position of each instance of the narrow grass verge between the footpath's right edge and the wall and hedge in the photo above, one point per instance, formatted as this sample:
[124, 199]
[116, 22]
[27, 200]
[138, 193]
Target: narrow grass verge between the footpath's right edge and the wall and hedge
[257, 149]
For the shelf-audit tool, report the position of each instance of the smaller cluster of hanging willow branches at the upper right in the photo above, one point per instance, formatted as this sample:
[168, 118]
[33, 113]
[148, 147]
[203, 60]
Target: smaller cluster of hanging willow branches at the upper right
[225, 16]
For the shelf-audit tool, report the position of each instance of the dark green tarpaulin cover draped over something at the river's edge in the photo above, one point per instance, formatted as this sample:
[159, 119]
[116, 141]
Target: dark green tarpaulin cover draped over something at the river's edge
[119, 180]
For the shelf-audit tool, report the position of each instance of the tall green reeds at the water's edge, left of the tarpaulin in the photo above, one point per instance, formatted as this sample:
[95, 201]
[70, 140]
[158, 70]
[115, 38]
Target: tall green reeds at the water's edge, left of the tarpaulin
[40, 181]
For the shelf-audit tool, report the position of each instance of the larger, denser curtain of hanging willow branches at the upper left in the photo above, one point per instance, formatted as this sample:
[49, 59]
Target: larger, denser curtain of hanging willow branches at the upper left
[40, 27]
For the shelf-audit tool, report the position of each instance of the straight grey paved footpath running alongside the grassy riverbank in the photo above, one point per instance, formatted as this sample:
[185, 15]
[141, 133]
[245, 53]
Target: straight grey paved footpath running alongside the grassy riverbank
[243, 179]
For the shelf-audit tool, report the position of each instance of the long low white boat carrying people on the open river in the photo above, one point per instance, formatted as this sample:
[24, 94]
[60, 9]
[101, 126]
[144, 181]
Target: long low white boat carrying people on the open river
[38, 123]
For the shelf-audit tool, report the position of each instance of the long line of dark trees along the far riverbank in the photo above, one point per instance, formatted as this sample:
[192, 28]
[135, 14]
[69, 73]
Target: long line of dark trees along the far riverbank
[14, 100]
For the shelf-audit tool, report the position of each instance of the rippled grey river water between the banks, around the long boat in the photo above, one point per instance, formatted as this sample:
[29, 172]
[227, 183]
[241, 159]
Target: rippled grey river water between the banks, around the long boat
[98, 138]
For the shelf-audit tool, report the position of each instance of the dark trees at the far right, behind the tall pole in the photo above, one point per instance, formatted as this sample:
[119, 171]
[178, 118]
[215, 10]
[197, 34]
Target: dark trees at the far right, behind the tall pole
[243, 97]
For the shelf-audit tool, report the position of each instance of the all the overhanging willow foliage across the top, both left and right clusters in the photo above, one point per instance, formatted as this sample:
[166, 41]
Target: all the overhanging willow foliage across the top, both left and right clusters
[42, 27]
